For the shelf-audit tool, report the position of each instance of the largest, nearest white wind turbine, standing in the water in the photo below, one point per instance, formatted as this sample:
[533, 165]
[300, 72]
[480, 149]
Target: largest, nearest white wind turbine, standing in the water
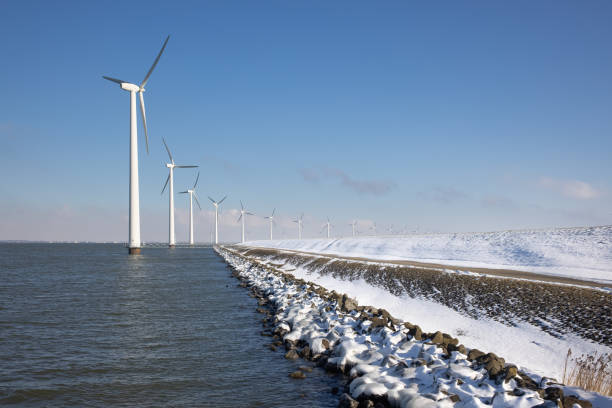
[134, 213]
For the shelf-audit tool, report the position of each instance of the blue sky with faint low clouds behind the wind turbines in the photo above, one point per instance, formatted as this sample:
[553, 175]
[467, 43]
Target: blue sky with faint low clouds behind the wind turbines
[458, 116]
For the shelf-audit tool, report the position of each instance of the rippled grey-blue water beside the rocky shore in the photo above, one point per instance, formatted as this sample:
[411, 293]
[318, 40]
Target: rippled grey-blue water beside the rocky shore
[87, 325]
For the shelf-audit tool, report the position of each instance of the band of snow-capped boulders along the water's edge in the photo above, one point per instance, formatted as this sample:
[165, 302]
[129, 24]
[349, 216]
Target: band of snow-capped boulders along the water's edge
[367, 344]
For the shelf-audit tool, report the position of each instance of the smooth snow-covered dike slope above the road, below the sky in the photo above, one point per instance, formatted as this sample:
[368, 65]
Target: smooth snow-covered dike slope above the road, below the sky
[584, 253]
